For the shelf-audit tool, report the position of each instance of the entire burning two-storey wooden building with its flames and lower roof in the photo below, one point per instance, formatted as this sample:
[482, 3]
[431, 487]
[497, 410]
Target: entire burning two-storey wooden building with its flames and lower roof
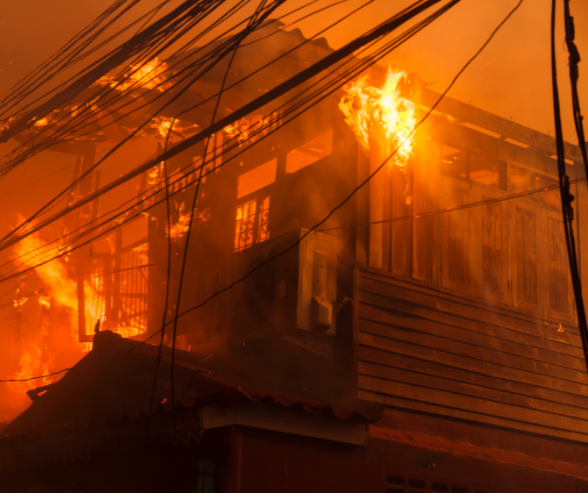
[422, 338]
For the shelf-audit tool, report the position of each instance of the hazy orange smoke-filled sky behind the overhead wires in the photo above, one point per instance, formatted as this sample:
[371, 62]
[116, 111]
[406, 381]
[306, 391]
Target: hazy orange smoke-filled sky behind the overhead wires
[511, 78]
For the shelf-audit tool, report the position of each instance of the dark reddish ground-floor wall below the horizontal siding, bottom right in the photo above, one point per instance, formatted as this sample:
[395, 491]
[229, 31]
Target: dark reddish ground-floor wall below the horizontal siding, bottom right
[274, 463]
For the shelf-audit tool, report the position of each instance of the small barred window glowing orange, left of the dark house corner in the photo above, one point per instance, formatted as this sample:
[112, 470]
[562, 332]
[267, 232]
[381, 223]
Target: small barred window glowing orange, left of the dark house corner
[252, 225]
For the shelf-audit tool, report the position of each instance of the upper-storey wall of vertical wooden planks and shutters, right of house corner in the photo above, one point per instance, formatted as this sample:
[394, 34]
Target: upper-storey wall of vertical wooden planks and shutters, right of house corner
[507, 252]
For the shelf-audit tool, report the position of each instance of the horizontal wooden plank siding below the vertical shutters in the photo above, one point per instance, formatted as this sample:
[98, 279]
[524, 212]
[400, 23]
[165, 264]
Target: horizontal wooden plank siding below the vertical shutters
[422, 349]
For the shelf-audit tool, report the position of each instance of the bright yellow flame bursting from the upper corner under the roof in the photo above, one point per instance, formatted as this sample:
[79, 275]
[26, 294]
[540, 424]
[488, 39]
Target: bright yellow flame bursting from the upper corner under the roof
[365, 106]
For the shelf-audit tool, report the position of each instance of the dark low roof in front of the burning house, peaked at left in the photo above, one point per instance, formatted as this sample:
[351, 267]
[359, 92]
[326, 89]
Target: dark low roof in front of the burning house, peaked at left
[113, 384]
